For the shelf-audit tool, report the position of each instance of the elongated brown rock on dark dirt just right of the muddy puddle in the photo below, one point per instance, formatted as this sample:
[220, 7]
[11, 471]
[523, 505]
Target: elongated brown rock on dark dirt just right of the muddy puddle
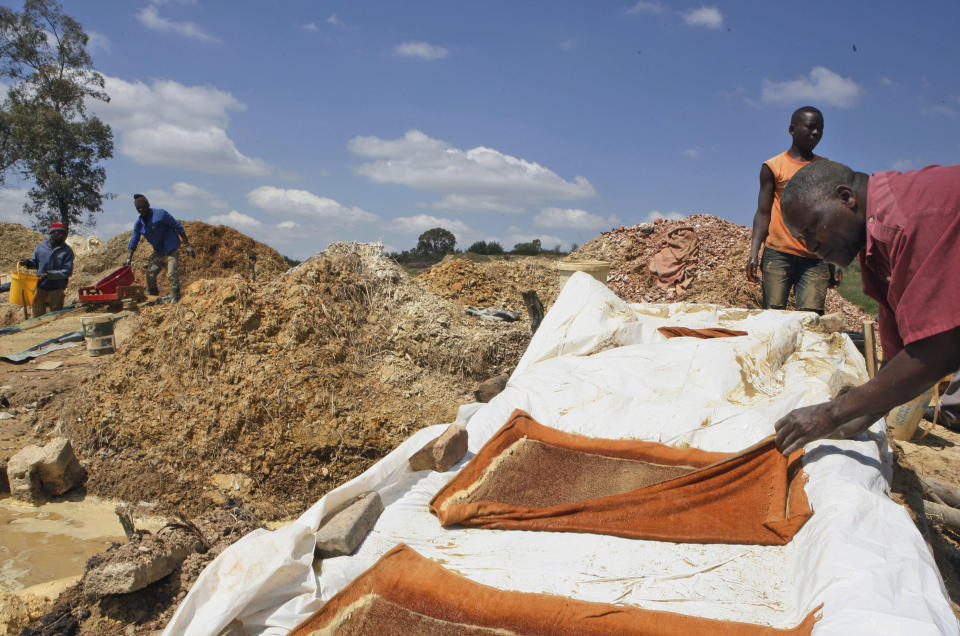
[130, 569]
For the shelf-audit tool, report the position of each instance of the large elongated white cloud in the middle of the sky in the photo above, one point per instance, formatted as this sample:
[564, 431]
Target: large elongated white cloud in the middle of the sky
[420, 162]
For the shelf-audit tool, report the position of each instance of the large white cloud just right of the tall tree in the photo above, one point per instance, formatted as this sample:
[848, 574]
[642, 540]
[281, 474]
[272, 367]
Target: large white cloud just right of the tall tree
[169, 124]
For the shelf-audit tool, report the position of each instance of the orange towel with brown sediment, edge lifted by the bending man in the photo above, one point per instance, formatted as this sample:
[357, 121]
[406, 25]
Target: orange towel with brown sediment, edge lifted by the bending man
[531, 477]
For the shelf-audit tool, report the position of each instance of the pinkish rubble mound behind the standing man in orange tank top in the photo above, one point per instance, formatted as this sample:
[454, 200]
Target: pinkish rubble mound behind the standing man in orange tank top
[722, 251]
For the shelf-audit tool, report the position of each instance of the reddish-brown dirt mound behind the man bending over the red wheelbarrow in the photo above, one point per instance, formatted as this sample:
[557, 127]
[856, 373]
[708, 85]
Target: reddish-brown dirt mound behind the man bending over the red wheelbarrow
[221, 252]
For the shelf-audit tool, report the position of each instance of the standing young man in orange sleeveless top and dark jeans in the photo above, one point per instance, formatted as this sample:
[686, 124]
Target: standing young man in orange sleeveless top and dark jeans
[786, 263]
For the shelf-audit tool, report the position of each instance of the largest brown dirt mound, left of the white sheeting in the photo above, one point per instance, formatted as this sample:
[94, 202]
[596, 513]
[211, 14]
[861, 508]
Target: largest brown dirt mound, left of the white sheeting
[281, 390]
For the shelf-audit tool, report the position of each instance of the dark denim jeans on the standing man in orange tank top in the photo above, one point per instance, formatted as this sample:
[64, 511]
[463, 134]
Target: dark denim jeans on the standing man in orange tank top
[808, 277]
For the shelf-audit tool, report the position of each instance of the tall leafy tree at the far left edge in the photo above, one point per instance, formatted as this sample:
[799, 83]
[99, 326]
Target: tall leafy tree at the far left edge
[46, 134]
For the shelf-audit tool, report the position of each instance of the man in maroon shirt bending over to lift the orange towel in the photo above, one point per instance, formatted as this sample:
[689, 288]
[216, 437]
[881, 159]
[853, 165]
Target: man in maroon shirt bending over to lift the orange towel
[905, 227]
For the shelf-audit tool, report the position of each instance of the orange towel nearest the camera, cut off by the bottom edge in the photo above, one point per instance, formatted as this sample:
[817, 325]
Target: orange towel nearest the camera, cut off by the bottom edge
[404, 593]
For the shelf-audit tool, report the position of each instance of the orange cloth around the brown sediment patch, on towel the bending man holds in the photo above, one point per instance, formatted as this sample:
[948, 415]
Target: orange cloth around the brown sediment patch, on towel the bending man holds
[755, 496]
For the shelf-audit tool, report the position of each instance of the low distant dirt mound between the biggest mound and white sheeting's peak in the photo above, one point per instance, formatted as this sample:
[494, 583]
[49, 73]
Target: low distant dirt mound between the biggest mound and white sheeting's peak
[497, 283]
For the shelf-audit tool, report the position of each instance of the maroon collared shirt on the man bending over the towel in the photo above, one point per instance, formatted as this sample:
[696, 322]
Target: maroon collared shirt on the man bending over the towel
[911, 263]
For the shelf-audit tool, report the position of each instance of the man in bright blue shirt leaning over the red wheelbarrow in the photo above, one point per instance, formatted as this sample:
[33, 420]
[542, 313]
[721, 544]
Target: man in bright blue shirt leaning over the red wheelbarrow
[165, 234]
